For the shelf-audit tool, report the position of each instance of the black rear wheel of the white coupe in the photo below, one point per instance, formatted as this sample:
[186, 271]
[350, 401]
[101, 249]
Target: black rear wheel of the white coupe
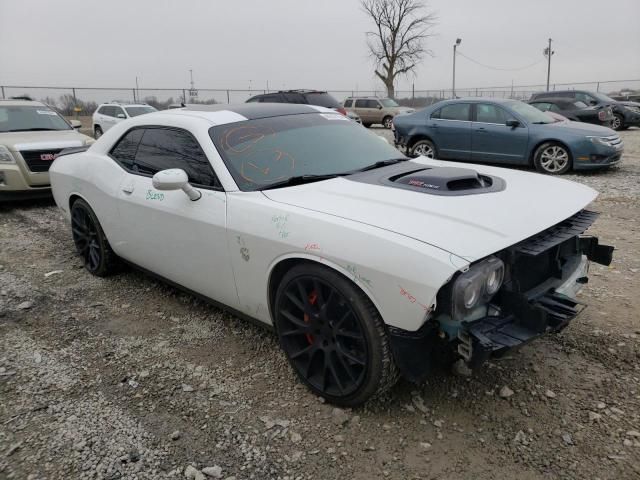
[90, 241]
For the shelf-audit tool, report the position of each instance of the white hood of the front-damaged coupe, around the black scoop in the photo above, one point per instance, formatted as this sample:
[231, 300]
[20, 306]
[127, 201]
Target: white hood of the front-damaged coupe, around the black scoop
[468, 226]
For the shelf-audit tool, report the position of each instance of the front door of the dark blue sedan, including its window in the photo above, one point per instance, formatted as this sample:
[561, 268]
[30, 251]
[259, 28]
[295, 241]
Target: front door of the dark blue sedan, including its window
[492, 140]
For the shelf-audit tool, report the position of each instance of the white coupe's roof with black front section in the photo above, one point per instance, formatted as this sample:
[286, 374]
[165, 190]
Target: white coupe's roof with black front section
[222, 113]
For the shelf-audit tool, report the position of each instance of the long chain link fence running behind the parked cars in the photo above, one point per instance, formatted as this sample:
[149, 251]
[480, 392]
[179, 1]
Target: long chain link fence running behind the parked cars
[84, 100]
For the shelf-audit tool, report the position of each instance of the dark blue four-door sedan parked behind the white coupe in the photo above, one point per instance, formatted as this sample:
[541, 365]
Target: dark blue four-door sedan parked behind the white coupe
[508, 132]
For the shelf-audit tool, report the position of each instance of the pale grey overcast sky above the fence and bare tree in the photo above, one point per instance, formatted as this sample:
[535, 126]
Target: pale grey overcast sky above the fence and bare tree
[305, 43]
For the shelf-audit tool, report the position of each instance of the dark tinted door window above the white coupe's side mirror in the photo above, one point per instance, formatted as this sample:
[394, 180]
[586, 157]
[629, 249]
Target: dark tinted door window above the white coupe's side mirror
[162, 148]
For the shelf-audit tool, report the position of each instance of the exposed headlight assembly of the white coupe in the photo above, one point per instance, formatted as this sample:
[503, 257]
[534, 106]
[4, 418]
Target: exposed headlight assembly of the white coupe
[476, 286]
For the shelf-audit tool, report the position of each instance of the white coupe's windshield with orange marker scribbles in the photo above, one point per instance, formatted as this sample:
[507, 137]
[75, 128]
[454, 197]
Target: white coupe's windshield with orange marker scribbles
[268, 150]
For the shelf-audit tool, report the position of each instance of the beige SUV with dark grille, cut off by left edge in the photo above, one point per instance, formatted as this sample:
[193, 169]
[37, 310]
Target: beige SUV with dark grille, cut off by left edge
[31, 135]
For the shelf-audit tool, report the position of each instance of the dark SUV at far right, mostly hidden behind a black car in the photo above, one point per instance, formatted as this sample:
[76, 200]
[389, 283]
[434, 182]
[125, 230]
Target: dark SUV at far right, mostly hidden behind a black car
[625, 114]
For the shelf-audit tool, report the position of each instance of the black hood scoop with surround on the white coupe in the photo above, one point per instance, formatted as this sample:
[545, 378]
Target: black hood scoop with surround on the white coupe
[447, 181]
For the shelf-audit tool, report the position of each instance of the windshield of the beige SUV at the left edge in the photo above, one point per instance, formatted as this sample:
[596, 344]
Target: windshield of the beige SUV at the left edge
[25, 118]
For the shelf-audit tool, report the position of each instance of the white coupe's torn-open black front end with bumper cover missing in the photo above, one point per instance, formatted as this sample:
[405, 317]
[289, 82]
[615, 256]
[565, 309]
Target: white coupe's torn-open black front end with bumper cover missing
[546, 273]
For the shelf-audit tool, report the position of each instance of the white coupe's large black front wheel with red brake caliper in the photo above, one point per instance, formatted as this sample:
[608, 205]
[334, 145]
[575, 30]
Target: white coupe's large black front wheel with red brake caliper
[333, 336]
